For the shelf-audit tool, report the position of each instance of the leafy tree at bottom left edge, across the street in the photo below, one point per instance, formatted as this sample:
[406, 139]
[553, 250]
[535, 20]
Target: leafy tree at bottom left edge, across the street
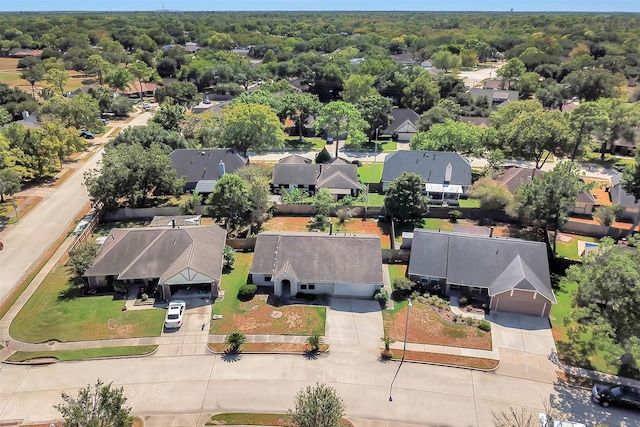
[99, 405]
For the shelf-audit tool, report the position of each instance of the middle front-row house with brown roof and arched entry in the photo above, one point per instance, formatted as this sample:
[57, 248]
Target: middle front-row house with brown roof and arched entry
[341, 266]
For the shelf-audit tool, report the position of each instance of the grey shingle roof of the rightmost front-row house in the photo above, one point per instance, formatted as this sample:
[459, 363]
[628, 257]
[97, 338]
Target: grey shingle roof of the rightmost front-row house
[495, 263]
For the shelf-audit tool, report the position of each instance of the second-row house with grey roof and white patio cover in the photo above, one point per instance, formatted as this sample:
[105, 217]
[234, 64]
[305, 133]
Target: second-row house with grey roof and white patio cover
[446, 175]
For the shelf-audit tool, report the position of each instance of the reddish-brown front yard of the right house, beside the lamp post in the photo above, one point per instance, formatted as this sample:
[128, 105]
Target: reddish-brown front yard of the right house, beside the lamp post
[426, 327]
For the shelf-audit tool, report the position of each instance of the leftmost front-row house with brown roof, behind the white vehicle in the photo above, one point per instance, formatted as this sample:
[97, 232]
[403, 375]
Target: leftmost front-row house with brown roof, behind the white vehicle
[180, 262]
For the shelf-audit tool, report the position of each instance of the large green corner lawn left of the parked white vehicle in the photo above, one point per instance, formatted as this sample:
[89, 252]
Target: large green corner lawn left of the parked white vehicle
[57, 312]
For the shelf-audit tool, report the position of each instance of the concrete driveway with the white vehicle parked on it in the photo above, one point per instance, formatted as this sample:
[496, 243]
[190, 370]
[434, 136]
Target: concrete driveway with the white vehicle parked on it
[191, 338]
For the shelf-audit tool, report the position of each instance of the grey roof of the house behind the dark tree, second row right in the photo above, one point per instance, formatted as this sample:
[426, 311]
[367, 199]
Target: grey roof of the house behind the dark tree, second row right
[431, 165]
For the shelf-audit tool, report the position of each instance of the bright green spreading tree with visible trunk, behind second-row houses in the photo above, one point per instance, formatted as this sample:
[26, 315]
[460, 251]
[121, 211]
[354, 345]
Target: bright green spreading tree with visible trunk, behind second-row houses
[341, 118]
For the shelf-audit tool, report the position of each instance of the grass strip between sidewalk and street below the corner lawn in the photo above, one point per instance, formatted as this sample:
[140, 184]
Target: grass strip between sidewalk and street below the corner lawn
[83, 354]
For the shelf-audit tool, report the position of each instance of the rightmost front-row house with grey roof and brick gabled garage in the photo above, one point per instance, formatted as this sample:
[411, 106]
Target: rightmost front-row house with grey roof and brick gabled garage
[510, 275]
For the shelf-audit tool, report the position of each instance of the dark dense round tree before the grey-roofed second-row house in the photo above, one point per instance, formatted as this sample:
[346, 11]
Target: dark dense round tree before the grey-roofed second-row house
[404, 200]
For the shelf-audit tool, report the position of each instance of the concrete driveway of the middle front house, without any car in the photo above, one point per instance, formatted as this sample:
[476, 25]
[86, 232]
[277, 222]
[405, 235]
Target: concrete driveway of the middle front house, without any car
[354, 326]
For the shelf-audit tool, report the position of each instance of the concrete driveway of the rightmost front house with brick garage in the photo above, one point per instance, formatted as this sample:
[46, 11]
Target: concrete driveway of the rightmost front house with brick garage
[525, 344]
